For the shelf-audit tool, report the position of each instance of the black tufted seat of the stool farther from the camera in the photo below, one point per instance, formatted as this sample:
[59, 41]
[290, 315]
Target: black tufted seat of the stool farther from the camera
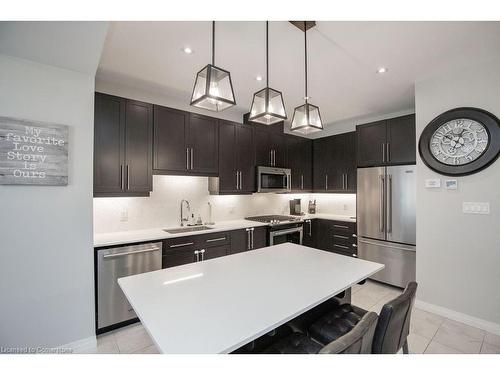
[336, 323]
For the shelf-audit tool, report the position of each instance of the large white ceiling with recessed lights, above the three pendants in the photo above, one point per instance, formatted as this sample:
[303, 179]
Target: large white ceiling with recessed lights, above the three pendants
[343, 59]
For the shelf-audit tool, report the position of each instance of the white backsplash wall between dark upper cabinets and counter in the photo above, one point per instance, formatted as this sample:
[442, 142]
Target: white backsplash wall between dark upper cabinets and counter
[162, 208]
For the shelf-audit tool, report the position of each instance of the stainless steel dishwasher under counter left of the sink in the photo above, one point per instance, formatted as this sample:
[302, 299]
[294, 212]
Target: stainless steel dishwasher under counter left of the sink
[113, 263]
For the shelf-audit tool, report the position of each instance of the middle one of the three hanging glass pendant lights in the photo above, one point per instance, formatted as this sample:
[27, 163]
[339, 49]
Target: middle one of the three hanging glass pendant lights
[267, 106]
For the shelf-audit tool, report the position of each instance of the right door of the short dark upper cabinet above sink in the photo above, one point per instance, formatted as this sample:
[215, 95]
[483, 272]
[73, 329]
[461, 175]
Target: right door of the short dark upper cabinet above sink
[204, 144]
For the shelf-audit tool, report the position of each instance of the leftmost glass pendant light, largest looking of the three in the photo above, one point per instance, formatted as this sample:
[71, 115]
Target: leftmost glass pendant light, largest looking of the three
[213, 89]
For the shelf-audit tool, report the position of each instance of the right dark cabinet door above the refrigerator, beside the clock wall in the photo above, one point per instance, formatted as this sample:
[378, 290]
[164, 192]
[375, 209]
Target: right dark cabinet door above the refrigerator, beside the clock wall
[401, 140]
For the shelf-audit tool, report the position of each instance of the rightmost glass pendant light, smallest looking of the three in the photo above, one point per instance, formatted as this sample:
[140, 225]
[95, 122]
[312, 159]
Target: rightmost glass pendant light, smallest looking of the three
[306, 118]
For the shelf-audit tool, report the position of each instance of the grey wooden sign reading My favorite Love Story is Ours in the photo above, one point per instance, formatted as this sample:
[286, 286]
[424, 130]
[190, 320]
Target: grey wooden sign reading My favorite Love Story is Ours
[33, 153]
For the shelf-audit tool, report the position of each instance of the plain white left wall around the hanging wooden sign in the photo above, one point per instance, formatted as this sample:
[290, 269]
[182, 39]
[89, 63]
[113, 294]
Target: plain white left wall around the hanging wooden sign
[46, 257]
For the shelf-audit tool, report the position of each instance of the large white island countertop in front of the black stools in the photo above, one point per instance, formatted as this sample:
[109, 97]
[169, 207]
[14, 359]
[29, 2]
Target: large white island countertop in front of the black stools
[218, 305]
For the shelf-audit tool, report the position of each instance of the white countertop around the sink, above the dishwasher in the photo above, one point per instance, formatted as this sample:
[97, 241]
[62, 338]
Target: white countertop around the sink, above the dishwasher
[125, 237]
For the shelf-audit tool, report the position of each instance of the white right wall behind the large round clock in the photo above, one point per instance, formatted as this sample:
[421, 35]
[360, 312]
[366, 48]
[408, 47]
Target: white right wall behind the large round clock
[458, 255]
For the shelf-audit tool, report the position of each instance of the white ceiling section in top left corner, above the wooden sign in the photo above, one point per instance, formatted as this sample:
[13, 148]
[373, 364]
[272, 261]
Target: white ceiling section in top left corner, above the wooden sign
[75, 46]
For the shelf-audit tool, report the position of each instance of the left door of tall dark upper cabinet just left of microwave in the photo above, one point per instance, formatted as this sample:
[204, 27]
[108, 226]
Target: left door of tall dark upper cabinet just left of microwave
[227, 157]
